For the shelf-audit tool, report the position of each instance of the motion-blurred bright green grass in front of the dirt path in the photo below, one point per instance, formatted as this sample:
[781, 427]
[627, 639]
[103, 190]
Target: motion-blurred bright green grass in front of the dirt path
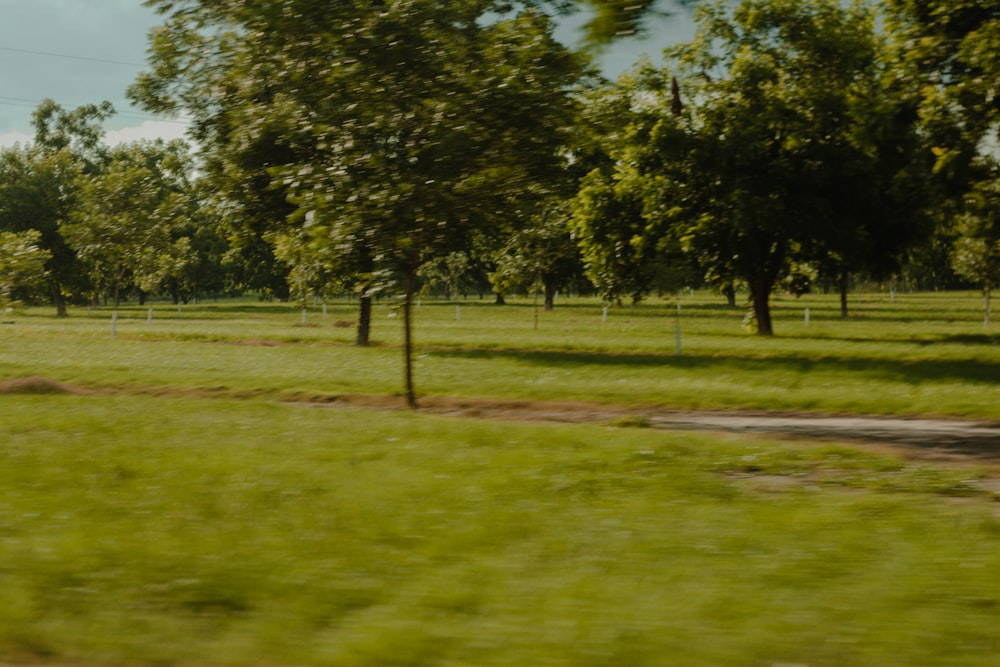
[182, 531]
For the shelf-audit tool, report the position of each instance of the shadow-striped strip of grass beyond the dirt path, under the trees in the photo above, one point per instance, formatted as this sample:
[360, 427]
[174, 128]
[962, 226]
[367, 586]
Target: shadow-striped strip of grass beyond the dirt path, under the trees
[923, 354]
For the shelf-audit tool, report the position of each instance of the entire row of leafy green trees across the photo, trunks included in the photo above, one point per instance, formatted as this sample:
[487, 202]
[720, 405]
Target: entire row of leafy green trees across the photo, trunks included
[376, 145]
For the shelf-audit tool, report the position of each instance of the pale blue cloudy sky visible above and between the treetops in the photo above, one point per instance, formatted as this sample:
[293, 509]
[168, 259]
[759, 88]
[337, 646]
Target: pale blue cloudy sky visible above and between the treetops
[86, 51]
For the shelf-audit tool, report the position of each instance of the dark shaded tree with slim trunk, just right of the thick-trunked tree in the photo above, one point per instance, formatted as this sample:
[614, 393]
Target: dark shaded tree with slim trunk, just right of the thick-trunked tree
[867, 163]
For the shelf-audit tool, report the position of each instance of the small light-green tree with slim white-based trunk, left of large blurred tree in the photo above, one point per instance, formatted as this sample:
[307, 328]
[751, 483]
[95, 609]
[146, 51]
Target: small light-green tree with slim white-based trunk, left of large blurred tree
[122, 226]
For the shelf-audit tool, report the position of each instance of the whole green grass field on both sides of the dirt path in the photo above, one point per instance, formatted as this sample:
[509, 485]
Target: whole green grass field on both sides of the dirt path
[182, 500]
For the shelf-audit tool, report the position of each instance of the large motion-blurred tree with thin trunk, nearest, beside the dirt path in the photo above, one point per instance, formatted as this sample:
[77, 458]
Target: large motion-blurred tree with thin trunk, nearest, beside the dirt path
[402, 119]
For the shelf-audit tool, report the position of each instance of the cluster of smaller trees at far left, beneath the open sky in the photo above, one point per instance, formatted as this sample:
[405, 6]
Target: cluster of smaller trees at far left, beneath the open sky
[81, 219]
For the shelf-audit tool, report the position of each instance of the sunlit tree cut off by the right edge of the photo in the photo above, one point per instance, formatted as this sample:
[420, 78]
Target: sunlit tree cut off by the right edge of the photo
[952, 55]
